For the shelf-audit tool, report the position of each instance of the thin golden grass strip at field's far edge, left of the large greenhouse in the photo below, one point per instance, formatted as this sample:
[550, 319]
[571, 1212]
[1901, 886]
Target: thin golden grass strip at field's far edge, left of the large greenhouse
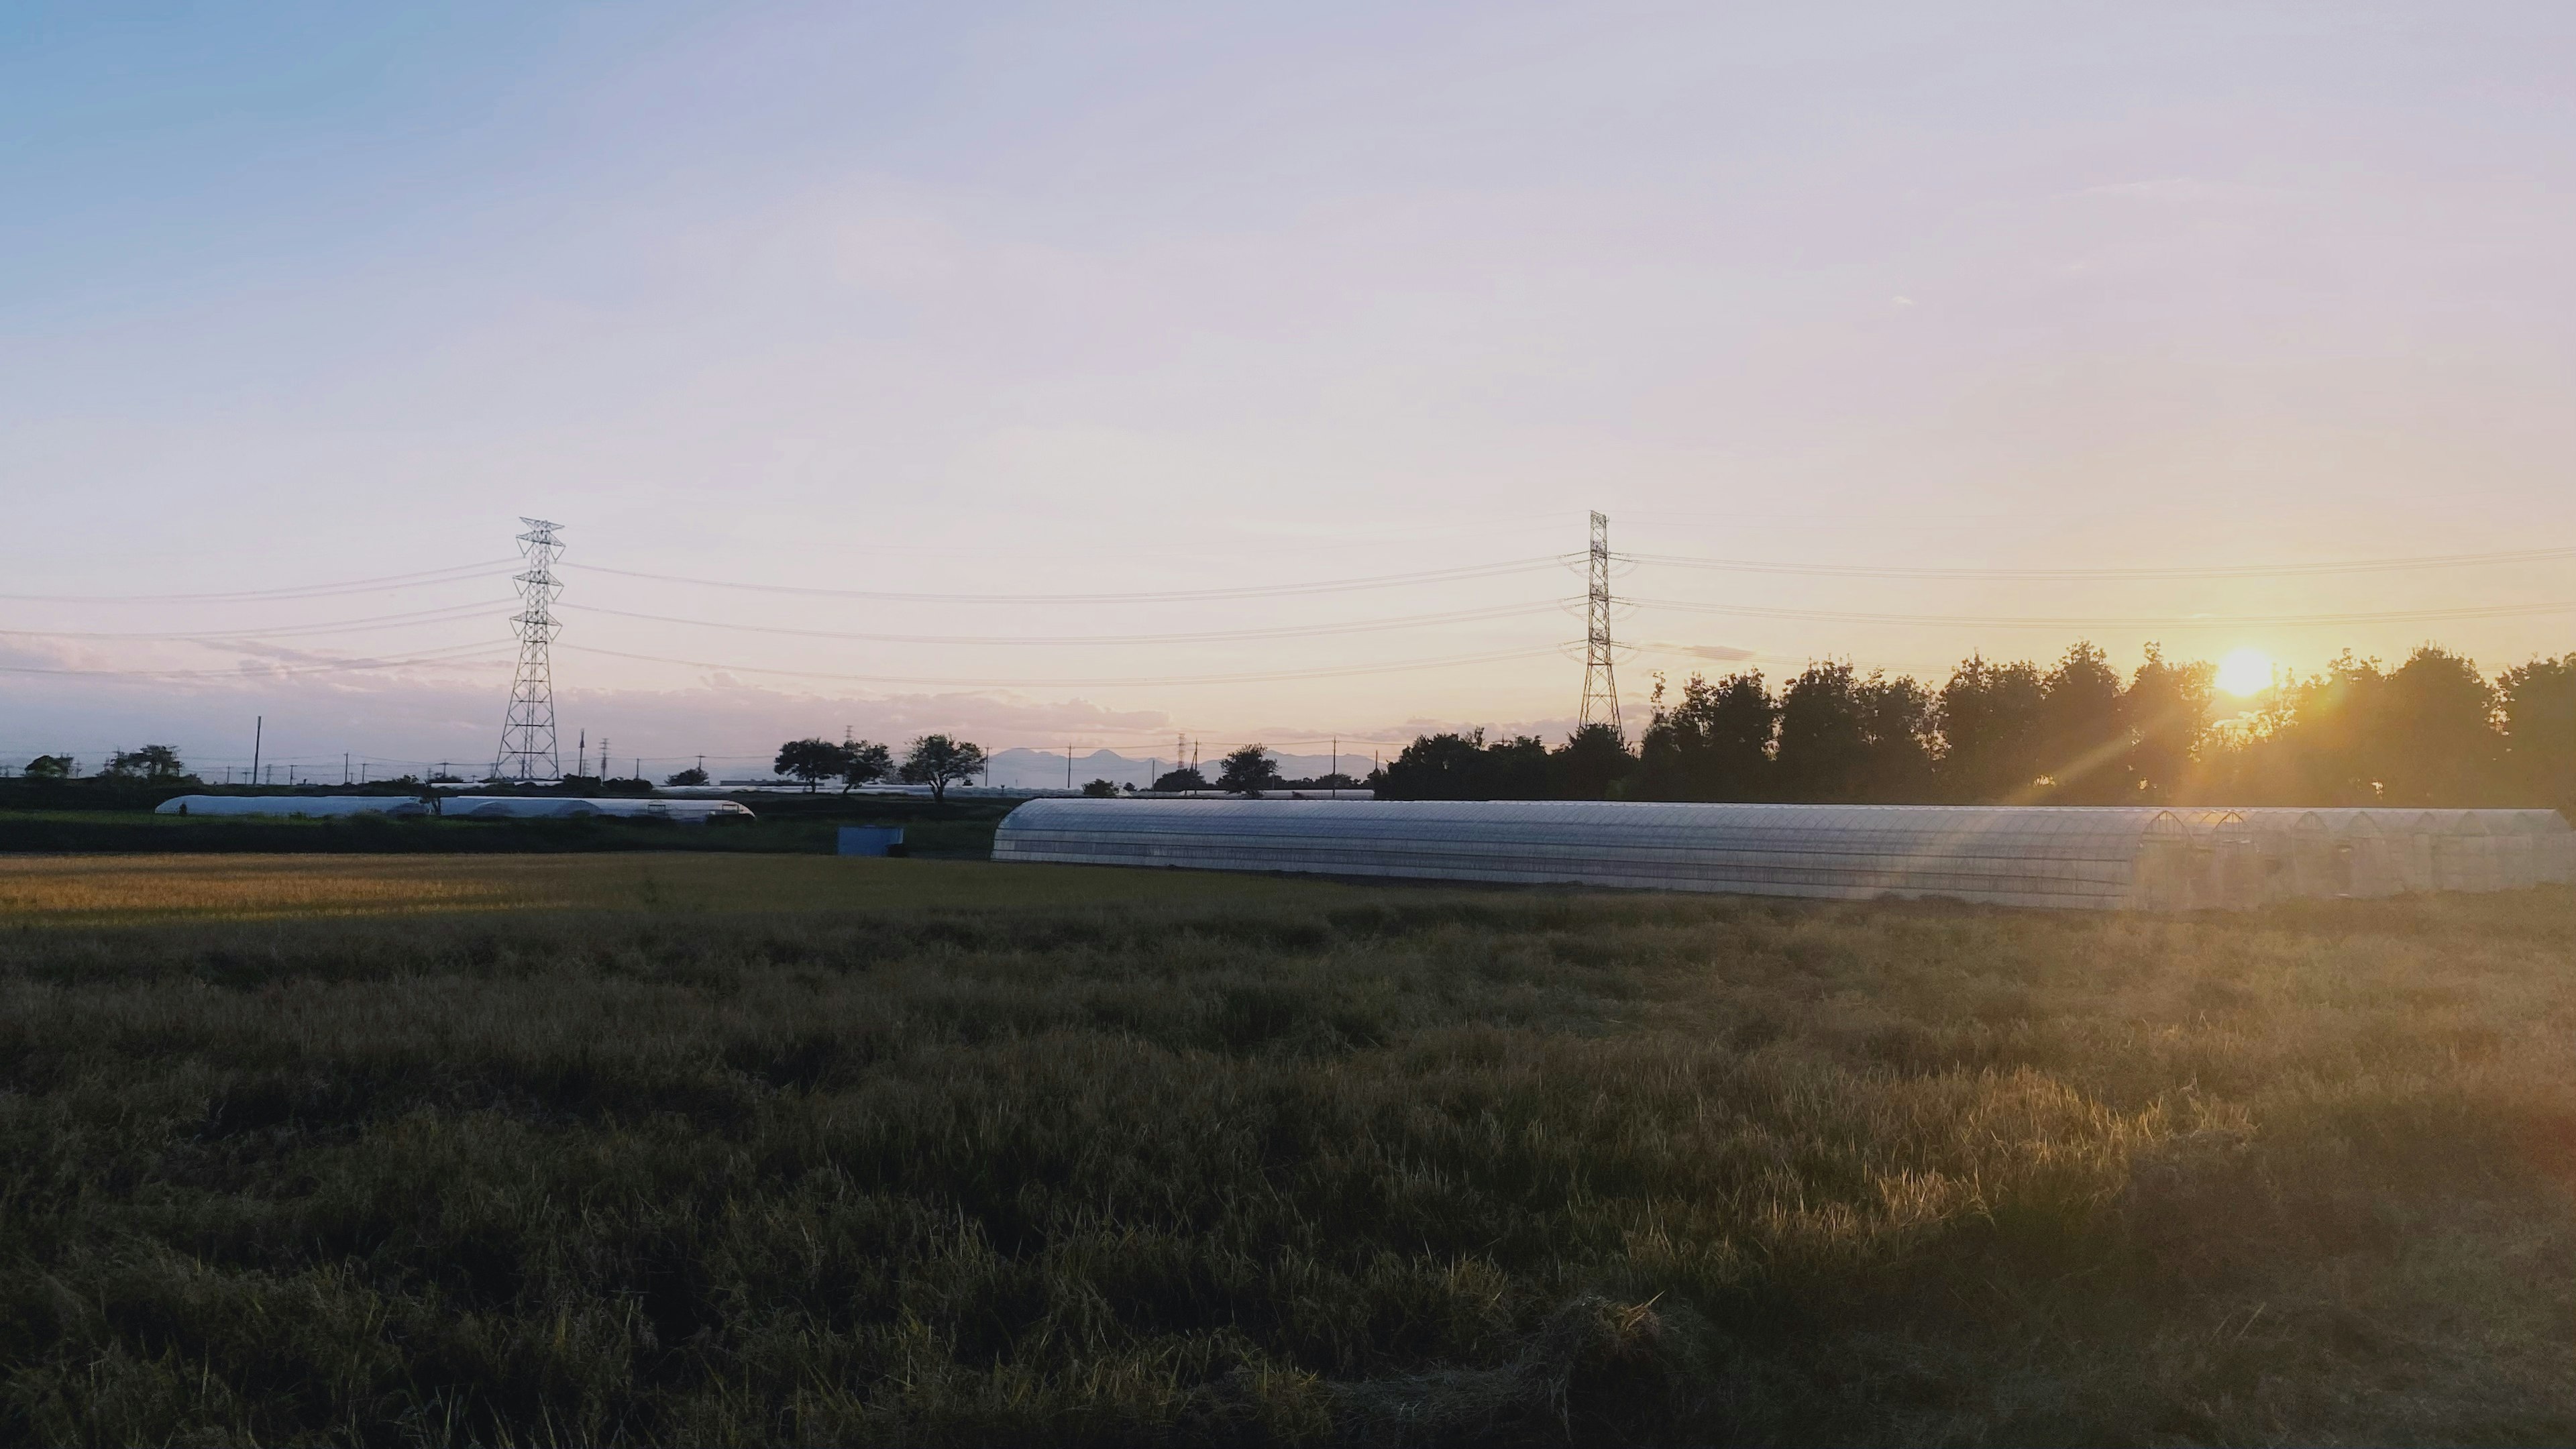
[138, 891]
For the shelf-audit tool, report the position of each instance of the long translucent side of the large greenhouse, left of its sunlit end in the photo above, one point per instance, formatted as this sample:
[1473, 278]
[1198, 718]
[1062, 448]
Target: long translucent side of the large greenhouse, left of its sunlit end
[1856, 852]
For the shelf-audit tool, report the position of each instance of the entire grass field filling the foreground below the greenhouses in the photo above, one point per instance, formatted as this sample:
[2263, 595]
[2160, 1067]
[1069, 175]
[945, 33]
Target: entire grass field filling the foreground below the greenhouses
[756, 1151]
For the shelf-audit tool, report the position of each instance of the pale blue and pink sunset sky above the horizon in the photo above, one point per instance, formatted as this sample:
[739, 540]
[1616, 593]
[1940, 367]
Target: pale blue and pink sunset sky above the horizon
[1119, 373]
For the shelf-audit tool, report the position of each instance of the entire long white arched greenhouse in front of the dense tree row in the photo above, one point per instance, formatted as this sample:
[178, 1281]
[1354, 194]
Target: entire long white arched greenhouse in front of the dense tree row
[2057, 857]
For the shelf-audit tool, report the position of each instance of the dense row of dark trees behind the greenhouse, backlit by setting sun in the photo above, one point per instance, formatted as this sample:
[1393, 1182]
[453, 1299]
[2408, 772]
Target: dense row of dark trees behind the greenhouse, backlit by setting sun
[2430, 731]
